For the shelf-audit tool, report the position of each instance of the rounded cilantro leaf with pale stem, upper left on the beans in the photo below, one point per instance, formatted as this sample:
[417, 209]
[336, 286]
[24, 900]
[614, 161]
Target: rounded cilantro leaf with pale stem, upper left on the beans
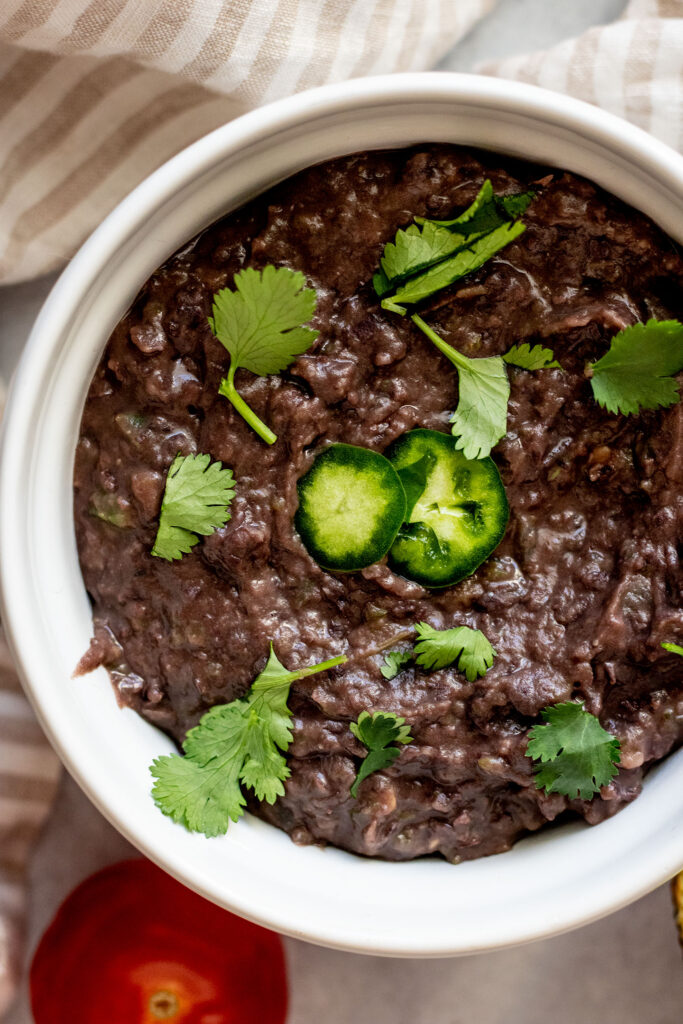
[261, 325]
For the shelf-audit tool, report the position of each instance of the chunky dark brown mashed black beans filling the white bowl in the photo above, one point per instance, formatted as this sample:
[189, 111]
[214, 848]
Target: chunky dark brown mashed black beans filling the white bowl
[577, 600]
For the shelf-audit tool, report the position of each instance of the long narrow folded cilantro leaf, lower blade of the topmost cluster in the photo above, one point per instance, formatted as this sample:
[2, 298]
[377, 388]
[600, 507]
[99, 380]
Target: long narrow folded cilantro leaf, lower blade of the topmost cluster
[449, 271]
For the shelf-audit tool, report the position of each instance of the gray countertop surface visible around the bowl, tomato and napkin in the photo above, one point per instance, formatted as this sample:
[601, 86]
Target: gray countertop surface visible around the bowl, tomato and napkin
[623, 970]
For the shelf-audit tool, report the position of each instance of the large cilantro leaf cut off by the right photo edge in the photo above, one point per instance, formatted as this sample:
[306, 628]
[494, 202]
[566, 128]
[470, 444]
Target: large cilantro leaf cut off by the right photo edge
[638, 371]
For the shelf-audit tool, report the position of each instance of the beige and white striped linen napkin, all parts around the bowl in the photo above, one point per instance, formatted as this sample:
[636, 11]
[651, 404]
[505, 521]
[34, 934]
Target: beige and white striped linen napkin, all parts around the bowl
[95, 96]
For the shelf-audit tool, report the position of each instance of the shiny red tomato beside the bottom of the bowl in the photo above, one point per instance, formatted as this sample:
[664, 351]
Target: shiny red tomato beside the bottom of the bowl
[134, 947]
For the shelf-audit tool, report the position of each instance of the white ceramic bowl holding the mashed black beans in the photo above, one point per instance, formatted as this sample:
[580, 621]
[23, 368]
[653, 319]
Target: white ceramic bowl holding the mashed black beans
[551, 882]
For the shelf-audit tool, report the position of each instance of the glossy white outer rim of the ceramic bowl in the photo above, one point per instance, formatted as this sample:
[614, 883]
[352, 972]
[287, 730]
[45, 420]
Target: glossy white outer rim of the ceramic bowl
[633, 146]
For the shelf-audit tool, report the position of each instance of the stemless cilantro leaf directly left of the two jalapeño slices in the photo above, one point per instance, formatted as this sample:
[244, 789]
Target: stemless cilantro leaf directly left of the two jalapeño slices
[196, 500]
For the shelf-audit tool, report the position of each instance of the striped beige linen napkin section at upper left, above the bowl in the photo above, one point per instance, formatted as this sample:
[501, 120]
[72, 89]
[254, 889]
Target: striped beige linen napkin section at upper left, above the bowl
[96, 96]
